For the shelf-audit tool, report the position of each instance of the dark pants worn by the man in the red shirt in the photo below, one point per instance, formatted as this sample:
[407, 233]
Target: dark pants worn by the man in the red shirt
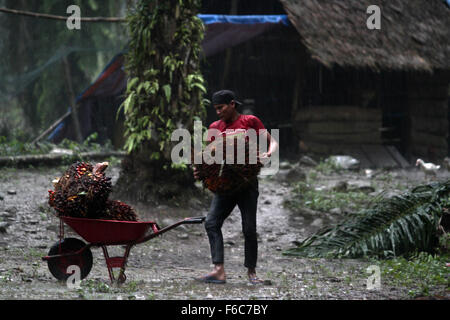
[221, 207]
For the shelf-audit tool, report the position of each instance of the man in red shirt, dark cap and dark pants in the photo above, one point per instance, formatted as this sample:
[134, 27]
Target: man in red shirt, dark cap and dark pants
[225, 103]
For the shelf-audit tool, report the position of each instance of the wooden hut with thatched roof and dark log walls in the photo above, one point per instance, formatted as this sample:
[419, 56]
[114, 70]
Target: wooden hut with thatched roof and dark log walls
[387, 86]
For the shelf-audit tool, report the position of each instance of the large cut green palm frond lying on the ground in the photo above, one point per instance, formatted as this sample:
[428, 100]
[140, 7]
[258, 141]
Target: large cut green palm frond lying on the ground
[391, 227]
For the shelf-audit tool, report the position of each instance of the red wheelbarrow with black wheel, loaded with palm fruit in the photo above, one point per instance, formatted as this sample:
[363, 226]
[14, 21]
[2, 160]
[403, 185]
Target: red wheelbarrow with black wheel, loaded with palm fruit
[101, 233]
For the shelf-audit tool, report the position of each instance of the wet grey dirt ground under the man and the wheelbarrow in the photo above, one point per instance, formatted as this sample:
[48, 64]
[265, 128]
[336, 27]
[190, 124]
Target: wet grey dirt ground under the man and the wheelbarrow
[164, 268]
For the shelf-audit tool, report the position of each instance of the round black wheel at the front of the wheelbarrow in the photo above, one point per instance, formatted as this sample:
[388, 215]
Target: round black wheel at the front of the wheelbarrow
[58, 266]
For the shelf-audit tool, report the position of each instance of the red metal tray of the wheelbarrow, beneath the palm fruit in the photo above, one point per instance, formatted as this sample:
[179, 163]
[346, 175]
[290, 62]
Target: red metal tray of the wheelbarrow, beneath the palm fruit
[110, 232]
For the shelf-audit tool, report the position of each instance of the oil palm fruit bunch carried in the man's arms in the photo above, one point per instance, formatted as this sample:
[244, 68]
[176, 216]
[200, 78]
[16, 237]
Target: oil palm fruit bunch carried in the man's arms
[224, 174]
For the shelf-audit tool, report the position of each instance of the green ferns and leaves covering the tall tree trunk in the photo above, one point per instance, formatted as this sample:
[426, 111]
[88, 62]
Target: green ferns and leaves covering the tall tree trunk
[165, 87]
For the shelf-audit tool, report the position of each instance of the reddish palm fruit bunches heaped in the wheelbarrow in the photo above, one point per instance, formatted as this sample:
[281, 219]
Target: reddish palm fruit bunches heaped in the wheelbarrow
[83, 191]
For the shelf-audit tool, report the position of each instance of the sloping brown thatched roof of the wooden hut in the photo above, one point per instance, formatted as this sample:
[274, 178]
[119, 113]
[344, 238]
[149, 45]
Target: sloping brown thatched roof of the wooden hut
[414, 34]
